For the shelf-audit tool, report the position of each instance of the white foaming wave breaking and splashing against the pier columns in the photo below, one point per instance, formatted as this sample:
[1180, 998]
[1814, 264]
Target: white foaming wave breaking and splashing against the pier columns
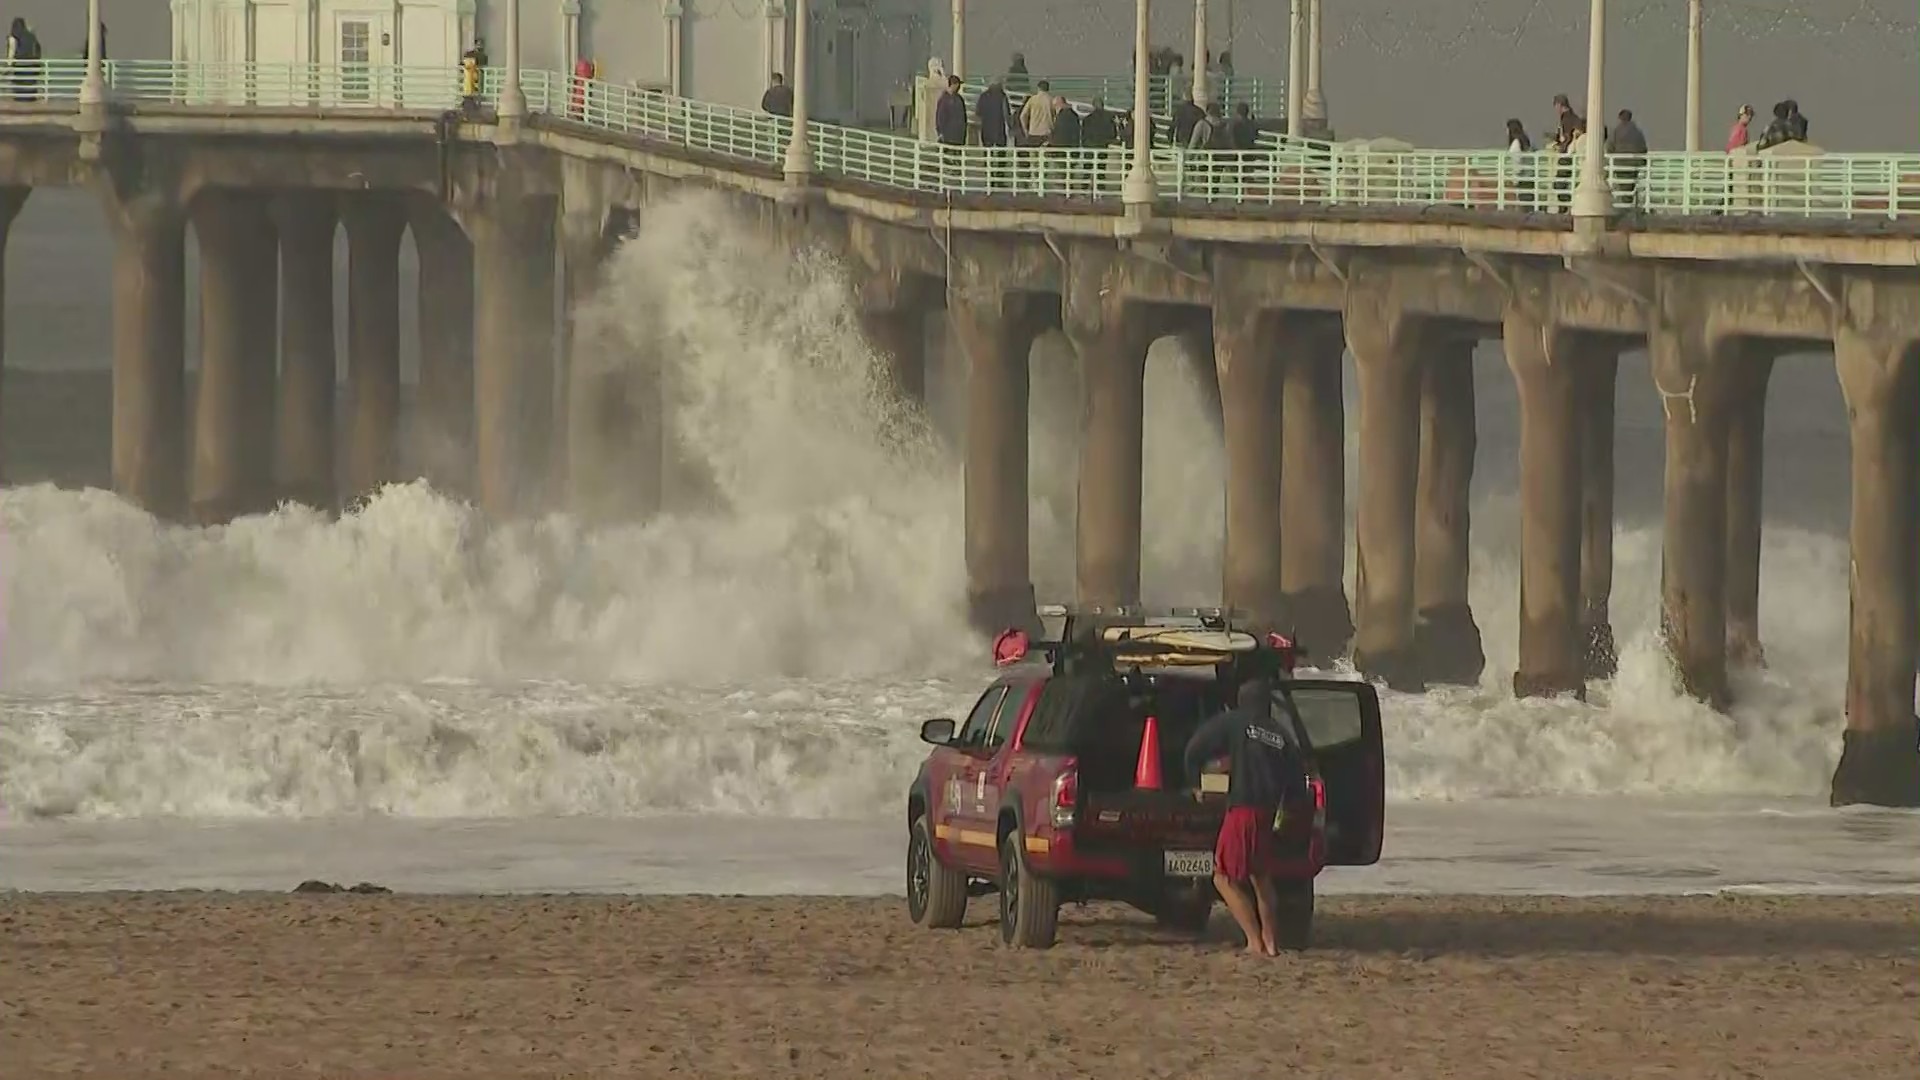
[771, 652]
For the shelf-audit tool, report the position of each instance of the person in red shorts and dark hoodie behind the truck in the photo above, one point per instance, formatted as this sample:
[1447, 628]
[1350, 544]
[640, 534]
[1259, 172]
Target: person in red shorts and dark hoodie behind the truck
[1262, 768]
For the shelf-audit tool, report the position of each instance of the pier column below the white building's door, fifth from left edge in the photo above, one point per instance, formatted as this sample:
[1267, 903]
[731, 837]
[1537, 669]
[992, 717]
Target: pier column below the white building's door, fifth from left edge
[375, 228]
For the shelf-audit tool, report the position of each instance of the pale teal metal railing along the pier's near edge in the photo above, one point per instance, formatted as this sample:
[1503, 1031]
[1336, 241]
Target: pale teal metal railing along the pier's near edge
[1287, 172]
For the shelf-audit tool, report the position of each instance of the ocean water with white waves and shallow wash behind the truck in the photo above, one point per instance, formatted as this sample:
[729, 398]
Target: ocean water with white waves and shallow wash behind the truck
[729, 699]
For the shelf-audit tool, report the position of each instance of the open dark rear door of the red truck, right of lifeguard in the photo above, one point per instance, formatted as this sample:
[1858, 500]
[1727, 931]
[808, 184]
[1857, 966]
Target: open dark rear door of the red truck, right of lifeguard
[1341, 724]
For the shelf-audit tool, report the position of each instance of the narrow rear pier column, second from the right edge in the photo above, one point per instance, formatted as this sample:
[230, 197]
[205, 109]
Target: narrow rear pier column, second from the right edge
[1746, 441]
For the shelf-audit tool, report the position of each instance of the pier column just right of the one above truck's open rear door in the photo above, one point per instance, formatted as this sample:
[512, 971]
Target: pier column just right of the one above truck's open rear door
[1445, 633]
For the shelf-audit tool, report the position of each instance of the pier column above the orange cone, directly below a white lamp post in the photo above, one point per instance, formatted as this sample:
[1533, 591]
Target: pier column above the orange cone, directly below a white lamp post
[1113, 339]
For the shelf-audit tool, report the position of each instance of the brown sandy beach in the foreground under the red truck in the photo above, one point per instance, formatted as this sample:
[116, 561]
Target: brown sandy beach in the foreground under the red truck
[218, 985]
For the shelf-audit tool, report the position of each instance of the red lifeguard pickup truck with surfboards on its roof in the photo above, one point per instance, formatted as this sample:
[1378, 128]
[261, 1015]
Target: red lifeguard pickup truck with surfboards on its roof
[1067, 779]
